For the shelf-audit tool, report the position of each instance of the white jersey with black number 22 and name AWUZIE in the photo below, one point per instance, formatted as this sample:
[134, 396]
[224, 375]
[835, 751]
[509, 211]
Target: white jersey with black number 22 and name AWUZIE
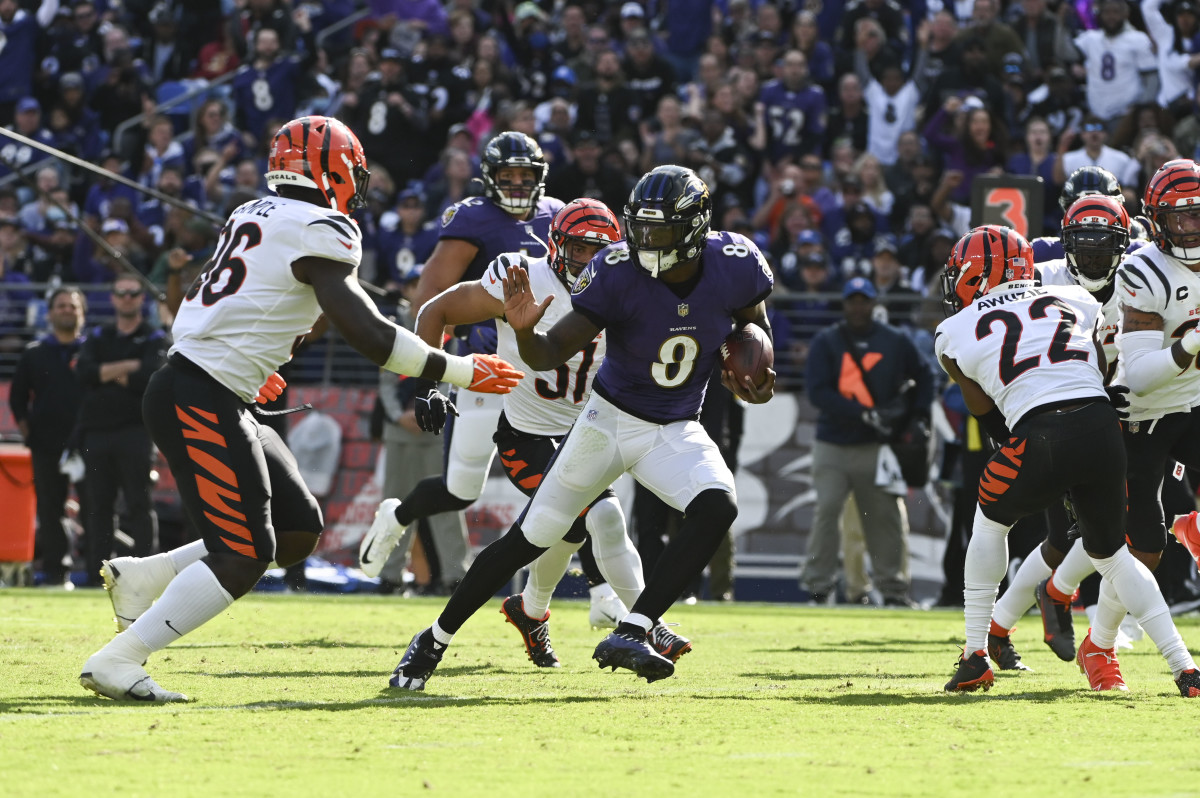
[1043, 368]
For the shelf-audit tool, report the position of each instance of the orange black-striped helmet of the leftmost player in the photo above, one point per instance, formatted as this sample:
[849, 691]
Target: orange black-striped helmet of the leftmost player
[321, 153]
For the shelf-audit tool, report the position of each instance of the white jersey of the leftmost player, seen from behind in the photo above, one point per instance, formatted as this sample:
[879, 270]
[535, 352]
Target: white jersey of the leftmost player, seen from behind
[244, 315]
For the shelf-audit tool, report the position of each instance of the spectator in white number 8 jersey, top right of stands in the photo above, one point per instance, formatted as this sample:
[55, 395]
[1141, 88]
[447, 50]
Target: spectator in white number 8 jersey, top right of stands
[1120, 61]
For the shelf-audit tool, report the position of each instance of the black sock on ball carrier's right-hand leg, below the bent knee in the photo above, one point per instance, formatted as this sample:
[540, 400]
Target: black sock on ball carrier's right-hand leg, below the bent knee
[706, 521]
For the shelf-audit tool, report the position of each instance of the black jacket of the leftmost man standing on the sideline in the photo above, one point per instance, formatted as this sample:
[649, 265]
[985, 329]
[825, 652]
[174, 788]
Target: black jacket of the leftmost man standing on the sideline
[46, 394]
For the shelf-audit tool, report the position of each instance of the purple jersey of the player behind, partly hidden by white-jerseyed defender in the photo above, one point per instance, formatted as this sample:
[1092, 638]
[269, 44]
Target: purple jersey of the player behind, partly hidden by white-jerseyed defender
[479, 221]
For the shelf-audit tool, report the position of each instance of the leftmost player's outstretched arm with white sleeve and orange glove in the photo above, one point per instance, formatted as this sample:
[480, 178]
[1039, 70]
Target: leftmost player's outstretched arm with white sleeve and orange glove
[391, 346]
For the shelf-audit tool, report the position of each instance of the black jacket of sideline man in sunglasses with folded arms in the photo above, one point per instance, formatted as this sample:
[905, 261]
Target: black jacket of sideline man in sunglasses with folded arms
[109, 406]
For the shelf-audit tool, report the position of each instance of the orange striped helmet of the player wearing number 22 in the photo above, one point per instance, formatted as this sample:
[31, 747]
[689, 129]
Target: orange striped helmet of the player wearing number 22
[986, 257]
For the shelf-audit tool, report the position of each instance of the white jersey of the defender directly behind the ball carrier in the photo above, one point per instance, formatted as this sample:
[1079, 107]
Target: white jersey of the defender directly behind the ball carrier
[545, 403]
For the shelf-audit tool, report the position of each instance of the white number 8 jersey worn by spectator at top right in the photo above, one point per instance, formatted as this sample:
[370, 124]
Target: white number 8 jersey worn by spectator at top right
[1114, 69]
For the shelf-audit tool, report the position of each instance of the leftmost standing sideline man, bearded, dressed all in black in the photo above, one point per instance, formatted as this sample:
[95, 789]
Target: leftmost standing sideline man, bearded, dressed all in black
[45, 403]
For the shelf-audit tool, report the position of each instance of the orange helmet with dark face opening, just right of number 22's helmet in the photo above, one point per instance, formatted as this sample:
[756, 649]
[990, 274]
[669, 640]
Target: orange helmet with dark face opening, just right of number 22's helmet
[1095, 236]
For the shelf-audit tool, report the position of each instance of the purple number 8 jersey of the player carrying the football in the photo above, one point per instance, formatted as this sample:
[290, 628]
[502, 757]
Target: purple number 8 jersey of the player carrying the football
[662, 347]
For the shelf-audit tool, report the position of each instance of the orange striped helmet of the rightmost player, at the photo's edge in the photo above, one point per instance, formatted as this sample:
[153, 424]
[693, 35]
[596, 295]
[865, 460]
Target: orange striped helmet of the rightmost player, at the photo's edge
[1173, 208]
